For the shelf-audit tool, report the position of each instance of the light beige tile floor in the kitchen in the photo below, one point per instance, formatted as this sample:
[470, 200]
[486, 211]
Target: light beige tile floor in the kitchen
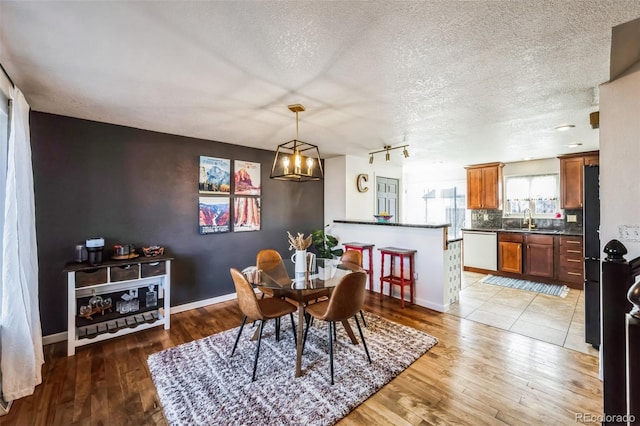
[551, 319]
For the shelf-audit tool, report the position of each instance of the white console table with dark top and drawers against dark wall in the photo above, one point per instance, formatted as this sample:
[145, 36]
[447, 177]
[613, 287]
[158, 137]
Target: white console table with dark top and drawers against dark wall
[119, 280]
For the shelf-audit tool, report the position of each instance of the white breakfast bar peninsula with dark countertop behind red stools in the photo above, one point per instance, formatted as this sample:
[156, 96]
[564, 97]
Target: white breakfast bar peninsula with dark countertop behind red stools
[437, 270]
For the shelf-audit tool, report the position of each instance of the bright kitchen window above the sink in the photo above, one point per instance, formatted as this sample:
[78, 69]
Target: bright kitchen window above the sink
[539, 193]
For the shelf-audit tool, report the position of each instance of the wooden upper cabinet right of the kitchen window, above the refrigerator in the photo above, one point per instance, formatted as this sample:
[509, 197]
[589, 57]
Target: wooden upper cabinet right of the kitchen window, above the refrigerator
[571, 177]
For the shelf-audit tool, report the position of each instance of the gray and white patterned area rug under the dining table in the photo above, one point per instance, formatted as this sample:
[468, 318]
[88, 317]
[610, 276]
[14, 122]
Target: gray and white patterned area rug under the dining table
[198, 383]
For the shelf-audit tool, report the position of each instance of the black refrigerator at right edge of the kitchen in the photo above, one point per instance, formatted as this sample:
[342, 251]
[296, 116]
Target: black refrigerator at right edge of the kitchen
[591, 228]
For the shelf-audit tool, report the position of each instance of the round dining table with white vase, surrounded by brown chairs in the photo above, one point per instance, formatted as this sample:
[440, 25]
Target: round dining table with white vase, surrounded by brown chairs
[320, 274]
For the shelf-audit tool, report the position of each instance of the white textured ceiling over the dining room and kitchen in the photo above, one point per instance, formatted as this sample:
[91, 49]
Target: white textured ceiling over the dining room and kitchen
[461, 82]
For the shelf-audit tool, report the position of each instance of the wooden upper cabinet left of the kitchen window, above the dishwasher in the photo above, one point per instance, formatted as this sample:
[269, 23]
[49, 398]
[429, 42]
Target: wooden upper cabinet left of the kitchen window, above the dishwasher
[484, 186]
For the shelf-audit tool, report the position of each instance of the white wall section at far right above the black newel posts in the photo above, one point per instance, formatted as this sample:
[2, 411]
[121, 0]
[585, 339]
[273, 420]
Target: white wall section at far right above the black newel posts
[620, 159]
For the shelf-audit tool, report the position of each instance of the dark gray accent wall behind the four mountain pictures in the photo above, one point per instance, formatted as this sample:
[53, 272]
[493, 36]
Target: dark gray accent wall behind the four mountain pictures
[141, 187]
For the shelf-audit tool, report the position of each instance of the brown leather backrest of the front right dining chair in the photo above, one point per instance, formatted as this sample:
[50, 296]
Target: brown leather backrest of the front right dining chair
[347, 297]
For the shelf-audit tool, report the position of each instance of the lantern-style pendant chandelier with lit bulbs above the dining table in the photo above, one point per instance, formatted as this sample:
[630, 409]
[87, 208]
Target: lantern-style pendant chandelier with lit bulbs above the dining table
[296, 160]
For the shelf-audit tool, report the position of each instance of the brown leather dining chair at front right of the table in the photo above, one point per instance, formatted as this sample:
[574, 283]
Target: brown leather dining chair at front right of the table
[346, 300]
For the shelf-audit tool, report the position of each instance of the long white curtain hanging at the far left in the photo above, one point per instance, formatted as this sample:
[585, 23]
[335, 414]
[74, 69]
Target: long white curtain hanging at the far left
[20, 329]
